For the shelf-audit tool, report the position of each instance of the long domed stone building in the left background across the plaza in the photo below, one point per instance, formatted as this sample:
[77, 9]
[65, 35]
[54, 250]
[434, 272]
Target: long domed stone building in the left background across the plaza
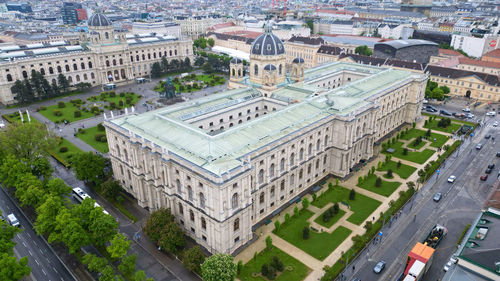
[104, 55]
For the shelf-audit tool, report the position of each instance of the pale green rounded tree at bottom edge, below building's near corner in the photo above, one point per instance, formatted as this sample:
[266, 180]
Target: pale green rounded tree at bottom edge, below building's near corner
[219, 267]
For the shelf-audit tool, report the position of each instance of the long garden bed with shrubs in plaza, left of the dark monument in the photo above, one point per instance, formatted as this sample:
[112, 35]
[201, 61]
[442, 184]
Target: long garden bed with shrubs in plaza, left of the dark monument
[78, 109]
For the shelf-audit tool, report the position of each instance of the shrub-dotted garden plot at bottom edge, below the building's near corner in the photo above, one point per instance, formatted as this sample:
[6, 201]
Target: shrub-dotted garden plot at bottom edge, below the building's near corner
[272, 264]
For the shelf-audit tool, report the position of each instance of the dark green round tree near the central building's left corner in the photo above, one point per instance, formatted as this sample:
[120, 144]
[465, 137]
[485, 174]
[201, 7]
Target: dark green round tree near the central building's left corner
[89, 167]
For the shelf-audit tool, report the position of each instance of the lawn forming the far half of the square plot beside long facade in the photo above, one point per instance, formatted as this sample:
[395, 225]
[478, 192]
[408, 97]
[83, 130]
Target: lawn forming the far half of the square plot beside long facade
[362, 206]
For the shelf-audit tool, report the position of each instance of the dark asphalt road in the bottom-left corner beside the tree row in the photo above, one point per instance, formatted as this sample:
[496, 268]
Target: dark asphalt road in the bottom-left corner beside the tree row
[44, 264]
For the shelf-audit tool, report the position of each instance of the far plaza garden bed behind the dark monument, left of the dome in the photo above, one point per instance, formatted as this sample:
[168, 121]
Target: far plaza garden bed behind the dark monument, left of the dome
[192, 82]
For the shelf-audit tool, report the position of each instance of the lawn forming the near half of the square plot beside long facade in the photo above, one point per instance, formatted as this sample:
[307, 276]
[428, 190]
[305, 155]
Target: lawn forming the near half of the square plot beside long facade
[319, 245]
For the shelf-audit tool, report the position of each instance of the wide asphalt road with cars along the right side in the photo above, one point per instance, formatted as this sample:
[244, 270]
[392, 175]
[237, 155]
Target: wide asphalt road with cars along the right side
[459, 206]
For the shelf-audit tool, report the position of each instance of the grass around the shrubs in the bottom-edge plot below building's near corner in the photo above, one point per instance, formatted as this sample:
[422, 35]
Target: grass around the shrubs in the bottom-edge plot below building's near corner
[299, 270]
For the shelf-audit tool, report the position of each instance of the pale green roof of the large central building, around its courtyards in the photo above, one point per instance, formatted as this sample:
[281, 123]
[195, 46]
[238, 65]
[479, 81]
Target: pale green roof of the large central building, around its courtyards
[169, 129]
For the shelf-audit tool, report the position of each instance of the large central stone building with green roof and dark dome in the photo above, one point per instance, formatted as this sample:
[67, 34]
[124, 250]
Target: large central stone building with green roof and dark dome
[226, 162]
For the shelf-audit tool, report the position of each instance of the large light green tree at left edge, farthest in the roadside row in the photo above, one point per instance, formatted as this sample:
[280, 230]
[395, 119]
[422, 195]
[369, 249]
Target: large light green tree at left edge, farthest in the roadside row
[27, 141]
